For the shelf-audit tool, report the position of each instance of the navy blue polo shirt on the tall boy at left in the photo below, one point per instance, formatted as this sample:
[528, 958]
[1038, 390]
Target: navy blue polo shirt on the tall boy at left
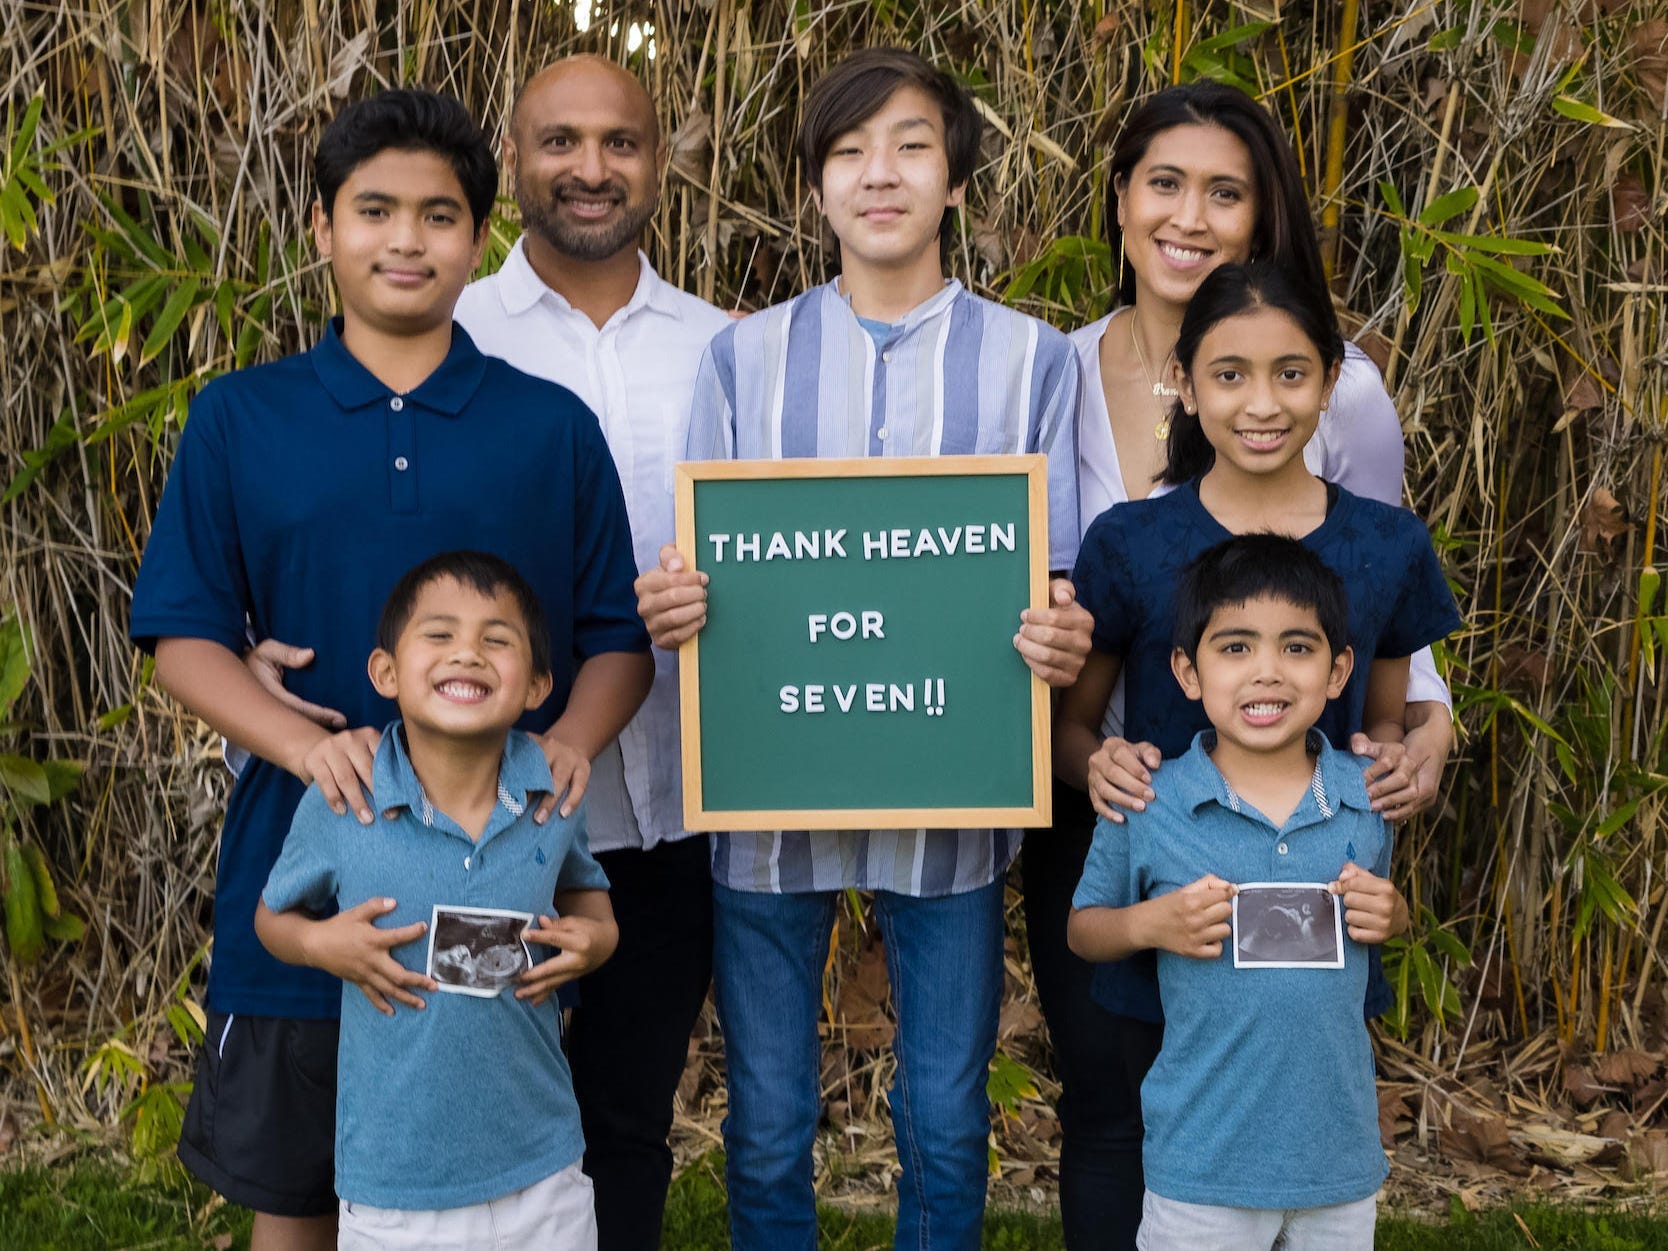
[299, 495]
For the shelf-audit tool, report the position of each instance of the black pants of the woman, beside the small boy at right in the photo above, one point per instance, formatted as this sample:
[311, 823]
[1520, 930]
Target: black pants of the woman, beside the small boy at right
[1100, 1058]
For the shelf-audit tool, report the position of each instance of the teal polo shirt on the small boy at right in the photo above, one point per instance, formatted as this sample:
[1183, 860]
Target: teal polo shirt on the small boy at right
[1264, 1092]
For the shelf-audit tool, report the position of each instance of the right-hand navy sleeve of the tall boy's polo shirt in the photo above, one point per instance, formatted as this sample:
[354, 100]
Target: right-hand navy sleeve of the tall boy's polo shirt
[605, 565]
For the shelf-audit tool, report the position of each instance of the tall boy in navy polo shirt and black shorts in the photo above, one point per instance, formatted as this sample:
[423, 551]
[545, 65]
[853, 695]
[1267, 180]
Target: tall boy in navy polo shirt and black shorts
[299, 495]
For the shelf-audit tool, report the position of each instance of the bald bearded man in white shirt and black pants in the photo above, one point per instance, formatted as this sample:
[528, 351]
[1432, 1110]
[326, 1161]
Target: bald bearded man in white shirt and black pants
[578, 303]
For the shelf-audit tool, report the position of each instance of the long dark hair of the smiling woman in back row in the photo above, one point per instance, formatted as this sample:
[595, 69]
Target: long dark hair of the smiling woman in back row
[1284, 233]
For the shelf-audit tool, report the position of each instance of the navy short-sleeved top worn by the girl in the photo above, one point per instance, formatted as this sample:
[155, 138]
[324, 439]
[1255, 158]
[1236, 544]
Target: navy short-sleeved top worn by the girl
[1127, 576]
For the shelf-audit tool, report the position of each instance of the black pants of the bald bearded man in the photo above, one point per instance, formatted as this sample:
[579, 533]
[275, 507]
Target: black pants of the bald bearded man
[630, 1035]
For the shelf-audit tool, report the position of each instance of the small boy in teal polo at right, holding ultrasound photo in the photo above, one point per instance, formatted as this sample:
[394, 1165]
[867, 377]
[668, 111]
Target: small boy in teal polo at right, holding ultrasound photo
[1262, 1118]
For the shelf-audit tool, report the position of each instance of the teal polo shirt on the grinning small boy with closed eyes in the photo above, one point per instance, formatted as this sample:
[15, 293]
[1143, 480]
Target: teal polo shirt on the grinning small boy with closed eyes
[470, 1098]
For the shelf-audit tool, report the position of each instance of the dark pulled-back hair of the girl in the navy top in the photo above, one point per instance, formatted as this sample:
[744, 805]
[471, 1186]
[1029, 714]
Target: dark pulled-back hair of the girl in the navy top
[1230, 291]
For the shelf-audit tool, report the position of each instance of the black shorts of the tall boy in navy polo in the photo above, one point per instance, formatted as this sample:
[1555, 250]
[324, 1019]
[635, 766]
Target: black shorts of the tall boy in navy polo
[261, 1125]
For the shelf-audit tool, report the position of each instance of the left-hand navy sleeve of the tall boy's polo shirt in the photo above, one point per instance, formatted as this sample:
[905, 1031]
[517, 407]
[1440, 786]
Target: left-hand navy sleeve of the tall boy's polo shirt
[193, 583]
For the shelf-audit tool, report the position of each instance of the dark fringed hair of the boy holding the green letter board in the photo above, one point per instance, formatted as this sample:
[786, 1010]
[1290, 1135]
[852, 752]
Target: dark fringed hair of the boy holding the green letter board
[858, 88]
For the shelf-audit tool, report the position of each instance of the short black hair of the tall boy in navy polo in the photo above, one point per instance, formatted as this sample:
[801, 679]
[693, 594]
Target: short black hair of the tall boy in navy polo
[408, 121]
